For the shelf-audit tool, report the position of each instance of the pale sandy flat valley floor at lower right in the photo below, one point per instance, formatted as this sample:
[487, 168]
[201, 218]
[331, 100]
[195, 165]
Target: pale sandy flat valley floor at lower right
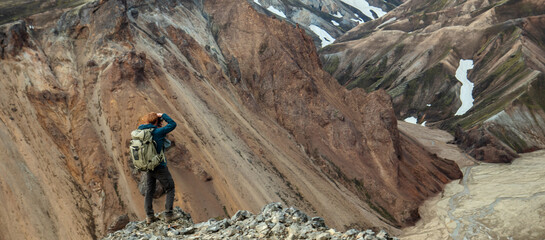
[492, 201]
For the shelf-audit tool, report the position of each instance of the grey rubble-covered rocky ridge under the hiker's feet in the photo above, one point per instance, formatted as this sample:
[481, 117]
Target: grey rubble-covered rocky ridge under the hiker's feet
[273, 222]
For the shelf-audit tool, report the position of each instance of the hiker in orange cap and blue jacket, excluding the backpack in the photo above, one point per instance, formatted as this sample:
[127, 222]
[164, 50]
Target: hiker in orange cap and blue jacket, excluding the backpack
[161, 173]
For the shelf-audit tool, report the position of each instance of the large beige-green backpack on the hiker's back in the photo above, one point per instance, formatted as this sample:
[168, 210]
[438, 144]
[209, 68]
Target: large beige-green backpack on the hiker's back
[143, 153]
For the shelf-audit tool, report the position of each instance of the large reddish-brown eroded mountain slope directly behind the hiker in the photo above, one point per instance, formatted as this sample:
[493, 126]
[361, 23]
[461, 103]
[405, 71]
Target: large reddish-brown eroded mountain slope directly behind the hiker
[258, 121]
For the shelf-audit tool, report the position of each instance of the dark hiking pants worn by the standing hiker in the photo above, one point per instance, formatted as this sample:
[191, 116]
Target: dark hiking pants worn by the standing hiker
[163, 175]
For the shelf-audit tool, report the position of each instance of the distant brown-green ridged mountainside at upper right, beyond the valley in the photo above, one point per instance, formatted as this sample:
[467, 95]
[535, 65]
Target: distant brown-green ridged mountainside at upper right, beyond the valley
[414, 51]
